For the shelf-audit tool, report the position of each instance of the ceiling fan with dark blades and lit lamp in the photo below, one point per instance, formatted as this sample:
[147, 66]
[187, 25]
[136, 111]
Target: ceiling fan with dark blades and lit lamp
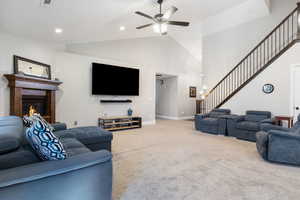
[161, 21]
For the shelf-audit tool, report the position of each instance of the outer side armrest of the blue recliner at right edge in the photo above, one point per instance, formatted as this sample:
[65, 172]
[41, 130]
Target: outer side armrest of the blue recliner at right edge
[284, 147]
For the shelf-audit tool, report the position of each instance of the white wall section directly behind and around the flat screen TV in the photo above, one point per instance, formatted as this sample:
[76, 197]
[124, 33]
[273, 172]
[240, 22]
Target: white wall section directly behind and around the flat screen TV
[76, 103]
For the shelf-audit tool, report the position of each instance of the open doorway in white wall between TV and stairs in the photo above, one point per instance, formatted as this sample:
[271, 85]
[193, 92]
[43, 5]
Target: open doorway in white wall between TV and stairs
[166, 97]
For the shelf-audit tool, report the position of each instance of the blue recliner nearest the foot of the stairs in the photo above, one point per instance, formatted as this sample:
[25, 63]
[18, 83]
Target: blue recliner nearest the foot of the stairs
[212, 122]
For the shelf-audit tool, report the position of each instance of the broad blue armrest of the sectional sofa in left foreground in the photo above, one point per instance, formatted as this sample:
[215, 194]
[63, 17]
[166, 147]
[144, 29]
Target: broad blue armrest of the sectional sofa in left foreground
[74, 178]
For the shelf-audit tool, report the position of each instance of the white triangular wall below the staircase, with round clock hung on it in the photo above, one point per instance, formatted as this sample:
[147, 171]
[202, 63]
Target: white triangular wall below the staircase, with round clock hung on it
[251, 97]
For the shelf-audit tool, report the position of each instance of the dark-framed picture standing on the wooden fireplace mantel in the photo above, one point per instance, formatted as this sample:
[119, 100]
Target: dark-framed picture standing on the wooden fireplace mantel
[31, 68]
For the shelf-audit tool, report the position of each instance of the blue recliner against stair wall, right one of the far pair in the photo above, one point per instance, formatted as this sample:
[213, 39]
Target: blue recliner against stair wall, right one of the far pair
[245, 127]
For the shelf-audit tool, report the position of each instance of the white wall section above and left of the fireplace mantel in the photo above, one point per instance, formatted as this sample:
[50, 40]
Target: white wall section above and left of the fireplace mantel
[12, 45]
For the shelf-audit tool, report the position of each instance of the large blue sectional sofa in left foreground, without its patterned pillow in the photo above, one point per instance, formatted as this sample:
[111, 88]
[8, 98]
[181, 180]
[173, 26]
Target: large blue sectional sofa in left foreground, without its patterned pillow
[85, 174]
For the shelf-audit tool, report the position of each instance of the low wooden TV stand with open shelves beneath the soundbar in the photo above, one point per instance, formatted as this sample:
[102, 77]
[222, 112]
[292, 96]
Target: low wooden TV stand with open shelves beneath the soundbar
[120, 123]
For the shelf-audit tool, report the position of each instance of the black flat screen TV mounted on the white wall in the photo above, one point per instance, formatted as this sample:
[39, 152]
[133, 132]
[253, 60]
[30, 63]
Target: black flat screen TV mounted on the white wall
[114, 80]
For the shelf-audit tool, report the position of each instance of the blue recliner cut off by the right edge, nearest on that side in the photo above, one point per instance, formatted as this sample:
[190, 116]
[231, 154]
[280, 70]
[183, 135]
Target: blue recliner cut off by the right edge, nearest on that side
[279, 144]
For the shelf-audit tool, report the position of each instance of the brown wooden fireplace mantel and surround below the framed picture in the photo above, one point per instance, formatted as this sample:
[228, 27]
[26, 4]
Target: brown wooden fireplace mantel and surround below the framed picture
[24, 86]
